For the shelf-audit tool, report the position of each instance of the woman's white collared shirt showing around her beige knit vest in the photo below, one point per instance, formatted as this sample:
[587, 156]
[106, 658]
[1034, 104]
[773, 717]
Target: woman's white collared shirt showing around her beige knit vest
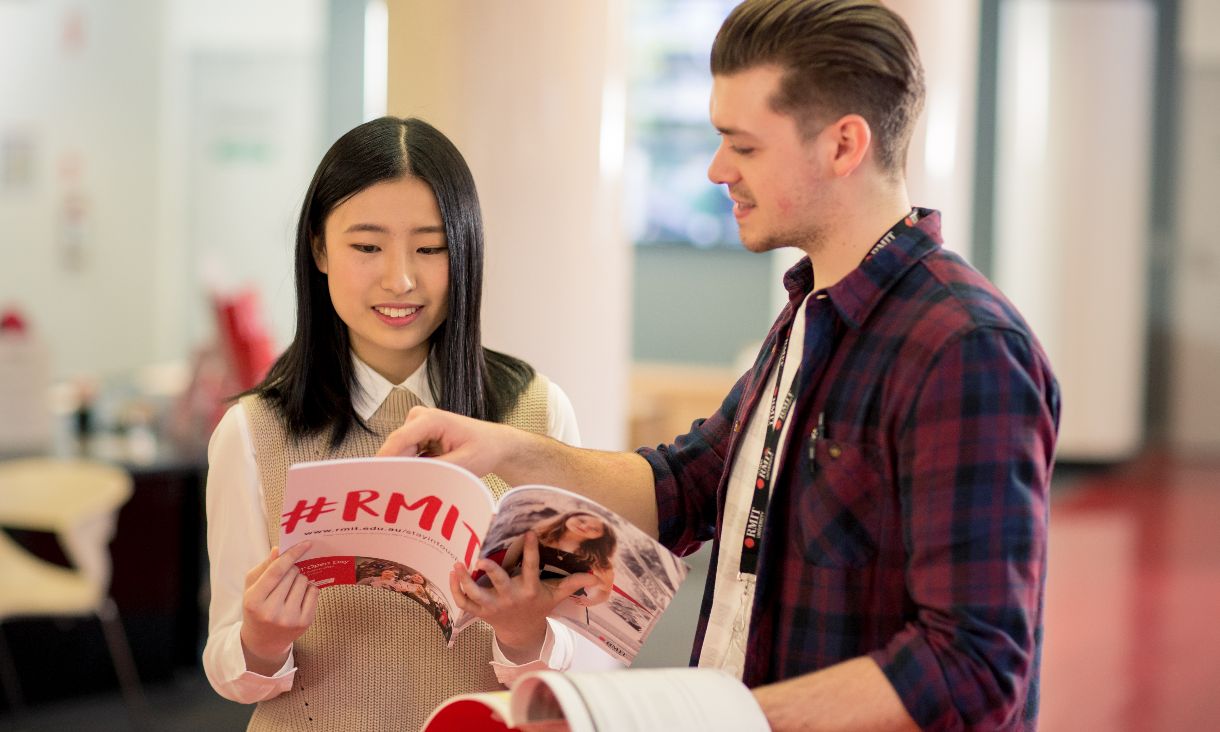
[237, 541]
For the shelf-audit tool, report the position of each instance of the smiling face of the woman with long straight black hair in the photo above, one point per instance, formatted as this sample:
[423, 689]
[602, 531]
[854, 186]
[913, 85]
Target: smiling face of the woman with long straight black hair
[387, 267]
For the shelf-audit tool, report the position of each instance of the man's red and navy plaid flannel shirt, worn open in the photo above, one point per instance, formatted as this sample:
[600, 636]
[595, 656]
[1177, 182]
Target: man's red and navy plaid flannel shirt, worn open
[913, 529]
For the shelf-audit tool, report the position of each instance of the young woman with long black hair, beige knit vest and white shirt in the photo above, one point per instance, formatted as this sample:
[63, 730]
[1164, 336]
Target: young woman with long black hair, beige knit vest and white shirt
[389, 264]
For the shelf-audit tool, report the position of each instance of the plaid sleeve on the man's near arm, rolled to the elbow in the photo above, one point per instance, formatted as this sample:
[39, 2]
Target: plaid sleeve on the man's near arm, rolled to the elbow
[975, 457]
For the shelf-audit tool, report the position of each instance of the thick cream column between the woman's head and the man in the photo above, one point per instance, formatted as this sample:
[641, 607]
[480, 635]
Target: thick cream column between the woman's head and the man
[533, 93]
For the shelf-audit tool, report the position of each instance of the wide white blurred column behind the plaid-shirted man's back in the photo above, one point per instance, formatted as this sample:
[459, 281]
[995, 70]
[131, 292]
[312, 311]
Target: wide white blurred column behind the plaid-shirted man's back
[1073, 230]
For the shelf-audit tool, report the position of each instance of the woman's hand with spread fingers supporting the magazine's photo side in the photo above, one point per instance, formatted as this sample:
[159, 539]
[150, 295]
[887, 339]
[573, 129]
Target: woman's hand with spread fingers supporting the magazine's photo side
[515, 607]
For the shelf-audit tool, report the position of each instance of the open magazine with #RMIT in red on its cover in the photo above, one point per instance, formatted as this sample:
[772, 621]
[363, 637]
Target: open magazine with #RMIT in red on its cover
[400, 524]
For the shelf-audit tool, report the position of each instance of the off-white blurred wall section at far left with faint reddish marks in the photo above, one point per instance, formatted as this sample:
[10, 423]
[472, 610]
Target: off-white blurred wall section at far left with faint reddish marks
[80, 178]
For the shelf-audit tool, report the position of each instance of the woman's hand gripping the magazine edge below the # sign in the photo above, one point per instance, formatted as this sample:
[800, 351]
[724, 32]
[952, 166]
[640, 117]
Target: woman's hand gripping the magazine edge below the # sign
[278, 608]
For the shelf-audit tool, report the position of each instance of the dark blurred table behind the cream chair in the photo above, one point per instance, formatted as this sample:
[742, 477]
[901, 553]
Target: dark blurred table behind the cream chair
[159, 562]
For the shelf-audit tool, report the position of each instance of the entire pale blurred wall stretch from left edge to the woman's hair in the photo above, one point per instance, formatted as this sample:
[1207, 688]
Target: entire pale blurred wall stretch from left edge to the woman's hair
[151, 151]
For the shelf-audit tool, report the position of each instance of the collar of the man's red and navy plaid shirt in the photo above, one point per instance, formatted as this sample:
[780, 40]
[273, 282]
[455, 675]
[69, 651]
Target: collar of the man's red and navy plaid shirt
[857, 295]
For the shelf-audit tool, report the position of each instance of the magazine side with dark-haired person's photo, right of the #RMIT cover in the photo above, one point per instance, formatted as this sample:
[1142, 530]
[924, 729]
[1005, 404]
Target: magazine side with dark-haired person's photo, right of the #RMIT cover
[639, 576]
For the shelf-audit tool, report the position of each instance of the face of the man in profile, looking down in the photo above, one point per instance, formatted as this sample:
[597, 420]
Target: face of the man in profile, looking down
[775, 178]
